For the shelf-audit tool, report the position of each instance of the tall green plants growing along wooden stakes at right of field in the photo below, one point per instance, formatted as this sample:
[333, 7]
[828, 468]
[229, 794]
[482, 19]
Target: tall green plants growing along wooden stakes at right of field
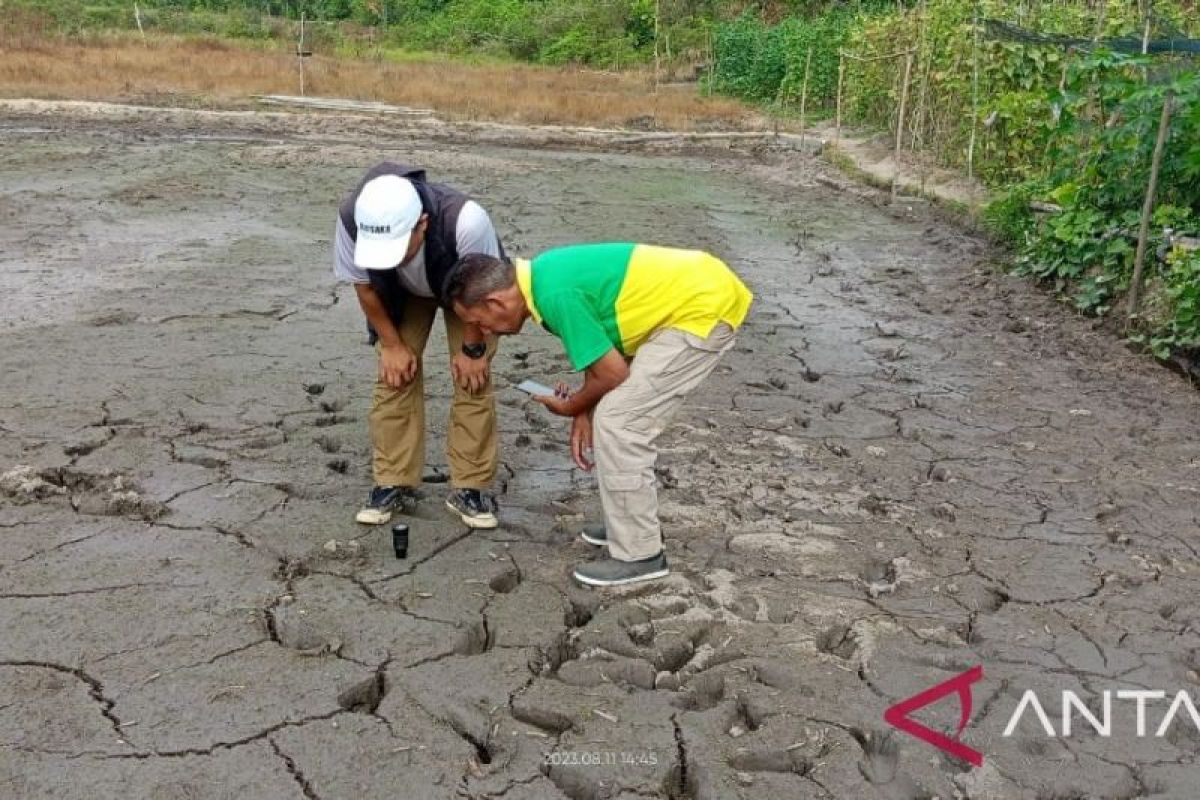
[1071, 128]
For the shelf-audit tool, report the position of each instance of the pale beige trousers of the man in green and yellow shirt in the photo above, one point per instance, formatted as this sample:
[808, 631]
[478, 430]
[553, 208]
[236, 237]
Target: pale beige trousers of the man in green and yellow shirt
[628, 422]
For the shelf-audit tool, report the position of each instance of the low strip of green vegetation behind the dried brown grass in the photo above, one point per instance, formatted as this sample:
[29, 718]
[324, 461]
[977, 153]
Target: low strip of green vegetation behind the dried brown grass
[609, 34]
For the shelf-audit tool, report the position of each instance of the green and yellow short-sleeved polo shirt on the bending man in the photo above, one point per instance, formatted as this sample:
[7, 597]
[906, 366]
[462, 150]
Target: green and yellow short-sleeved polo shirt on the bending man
[596, 298]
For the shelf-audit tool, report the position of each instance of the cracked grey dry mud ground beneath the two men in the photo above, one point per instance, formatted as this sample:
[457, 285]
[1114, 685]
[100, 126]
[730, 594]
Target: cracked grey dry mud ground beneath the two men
[911, 465]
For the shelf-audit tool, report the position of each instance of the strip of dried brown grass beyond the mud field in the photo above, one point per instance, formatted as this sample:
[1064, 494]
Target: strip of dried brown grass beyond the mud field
[219, 73]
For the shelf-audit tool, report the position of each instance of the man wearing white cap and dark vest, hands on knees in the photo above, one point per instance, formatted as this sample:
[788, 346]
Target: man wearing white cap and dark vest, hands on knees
[397, 239]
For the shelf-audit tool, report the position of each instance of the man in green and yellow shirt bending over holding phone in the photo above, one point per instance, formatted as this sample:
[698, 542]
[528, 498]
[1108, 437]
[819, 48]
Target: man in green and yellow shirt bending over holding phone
[646, 326]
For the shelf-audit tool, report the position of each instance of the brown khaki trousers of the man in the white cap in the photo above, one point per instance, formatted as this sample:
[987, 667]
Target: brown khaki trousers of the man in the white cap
[398, 416]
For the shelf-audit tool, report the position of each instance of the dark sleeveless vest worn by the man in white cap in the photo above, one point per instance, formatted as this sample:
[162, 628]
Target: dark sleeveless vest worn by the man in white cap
[443, 206]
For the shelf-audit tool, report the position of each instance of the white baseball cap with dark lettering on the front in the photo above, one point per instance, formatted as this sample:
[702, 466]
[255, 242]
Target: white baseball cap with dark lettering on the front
[386, 214]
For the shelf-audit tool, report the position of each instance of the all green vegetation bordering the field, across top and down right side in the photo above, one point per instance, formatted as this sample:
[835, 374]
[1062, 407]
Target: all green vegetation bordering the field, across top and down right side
[1064, 127]
